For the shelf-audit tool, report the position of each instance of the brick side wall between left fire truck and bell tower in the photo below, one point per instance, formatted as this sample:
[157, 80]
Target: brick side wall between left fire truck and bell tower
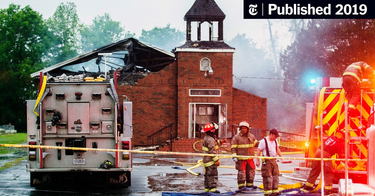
[154, 102]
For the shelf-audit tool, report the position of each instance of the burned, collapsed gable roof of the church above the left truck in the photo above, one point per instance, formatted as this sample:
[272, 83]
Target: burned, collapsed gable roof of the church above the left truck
[127, 54]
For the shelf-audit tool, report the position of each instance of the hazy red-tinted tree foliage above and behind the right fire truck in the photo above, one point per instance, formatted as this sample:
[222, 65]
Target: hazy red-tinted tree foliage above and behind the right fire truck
[325, 49]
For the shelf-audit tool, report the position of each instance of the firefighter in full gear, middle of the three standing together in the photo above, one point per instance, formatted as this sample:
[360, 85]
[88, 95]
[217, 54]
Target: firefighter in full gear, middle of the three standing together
[243, 144]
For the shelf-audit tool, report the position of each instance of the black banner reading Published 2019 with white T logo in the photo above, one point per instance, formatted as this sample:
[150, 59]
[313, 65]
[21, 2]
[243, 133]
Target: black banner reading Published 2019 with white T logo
[254, 10]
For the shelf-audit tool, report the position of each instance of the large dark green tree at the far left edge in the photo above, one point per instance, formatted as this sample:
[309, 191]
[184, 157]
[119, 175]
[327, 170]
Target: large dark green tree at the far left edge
[24, 41]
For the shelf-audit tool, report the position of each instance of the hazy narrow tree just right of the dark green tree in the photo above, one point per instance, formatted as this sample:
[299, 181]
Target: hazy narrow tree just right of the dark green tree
[65, 25]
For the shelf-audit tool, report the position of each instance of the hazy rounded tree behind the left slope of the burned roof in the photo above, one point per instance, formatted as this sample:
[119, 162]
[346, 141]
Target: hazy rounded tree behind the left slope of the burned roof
[101, 32]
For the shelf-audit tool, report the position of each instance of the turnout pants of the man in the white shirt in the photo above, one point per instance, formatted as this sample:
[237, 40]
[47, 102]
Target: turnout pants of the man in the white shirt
[270, 174]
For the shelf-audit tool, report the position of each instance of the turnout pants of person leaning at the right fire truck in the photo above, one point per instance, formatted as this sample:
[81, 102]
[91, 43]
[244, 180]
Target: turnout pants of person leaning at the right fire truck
[315, 171]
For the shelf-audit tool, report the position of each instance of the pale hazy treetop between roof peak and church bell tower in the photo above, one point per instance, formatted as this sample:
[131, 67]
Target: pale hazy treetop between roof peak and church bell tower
[166, 38]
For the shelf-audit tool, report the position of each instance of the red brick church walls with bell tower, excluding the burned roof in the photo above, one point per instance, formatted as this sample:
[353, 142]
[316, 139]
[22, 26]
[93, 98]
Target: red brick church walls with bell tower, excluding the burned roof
[196, 88]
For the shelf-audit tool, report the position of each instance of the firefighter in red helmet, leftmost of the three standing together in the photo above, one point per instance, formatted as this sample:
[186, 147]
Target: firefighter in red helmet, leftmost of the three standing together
[210, 163]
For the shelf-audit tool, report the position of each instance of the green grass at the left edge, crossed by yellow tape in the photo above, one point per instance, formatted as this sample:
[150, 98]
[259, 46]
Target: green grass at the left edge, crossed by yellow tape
[17, 138]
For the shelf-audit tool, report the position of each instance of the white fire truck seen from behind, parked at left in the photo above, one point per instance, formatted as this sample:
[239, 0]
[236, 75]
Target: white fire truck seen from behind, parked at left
[79, 127]
